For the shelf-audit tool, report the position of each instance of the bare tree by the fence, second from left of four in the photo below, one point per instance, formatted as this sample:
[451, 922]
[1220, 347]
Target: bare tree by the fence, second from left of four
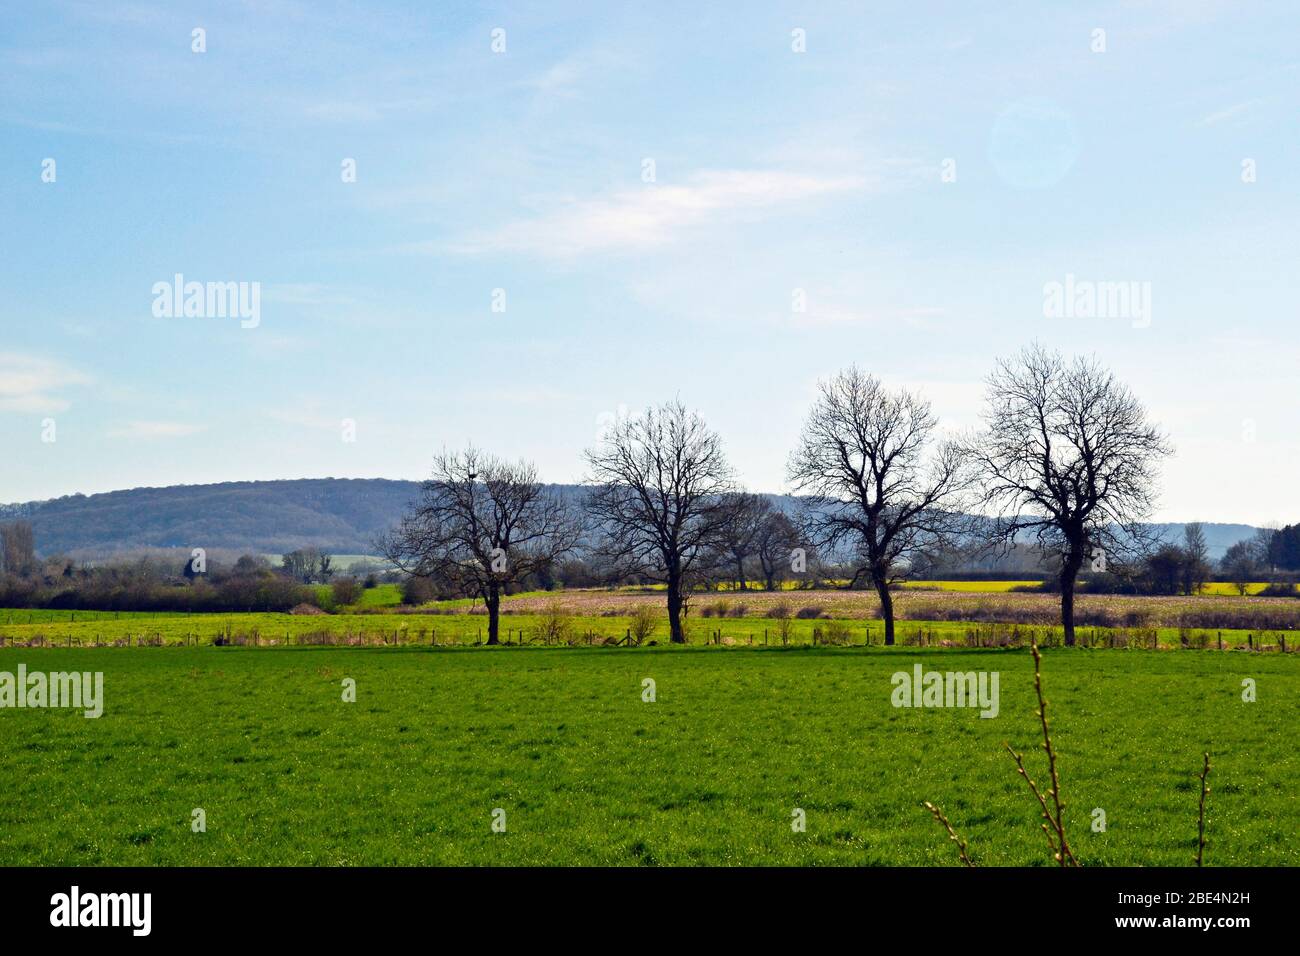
[664, 495]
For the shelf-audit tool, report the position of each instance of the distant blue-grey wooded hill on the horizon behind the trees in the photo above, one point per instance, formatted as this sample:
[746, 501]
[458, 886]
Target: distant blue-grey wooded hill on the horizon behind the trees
[340, 516]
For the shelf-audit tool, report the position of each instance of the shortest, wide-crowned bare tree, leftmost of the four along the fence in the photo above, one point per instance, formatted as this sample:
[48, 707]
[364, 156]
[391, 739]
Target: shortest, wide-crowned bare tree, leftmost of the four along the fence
[480, 526]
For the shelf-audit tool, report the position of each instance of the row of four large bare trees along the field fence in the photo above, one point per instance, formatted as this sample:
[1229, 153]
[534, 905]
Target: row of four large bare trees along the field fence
[1067, 457]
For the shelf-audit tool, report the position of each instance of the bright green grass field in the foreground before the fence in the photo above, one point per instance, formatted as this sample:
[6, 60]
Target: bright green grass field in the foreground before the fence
[587, 773]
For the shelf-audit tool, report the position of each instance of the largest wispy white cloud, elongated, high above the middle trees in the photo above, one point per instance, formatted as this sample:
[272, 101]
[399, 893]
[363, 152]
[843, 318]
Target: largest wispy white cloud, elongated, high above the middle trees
[656, 214]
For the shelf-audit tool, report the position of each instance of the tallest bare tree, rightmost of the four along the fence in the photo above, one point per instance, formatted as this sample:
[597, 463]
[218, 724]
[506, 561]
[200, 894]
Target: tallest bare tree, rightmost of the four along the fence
[1067, 455]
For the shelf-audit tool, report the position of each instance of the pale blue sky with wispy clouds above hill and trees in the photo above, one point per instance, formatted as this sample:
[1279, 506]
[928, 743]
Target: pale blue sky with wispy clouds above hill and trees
[526, 171]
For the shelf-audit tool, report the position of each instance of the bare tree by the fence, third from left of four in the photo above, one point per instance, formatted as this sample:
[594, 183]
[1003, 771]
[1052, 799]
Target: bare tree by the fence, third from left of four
[877, 479]
